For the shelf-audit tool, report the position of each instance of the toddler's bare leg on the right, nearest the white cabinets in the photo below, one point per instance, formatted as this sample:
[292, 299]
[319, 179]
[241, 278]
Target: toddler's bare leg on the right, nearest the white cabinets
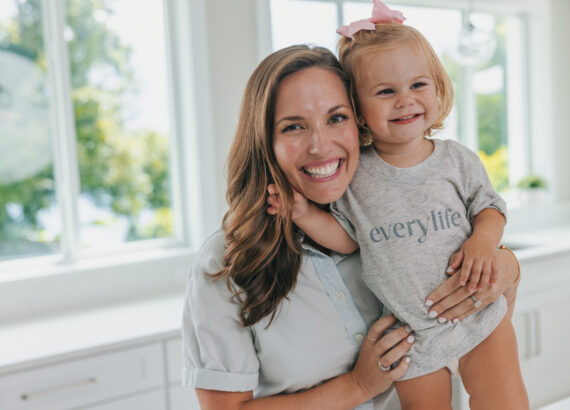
[491, 373]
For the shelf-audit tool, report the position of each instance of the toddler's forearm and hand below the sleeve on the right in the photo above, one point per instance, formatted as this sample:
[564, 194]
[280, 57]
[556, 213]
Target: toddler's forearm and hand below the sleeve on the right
[477, 254]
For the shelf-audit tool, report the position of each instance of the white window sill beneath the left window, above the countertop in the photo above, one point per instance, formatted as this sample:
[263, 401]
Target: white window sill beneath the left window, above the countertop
[44, 291]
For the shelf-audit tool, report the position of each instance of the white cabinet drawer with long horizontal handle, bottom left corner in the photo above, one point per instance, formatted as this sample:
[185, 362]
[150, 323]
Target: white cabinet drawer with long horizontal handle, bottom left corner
[82, 382]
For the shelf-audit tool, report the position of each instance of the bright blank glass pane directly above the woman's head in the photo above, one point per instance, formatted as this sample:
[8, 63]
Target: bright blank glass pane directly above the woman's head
[303, 22]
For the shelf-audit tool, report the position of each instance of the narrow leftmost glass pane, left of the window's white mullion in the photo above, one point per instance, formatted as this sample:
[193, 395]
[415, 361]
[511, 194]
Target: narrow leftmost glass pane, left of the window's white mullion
[29, 214]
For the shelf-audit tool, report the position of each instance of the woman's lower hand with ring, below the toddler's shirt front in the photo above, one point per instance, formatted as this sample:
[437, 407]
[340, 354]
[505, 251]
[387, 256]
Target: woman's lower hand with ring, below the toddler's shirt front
[383, 351]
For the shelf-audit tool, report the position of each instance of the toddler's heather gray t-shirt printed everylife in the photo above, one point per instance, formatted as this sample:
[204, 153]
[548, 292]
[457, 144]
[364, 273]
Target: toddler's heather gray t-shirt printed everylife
[408, 222]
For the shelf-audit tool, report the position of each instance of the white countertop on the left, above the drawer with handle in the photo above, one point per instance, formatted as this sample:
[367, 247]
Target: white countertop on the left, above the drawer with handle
[42, 341]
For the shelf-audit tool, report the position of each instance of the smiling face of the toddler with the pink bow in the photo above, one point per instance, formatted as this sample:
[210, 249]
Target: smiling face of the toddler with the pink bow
[397, 96]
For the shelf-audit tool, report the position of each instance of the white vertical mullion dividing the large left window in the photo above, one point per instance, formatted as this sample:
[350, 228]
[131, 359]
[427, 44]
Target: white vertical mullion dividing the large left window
[66, 167]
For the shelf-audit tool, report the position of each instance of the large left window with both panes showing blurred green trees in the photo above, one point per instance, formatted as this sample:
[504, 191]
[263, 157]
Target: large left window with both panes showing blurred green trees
[86, 164]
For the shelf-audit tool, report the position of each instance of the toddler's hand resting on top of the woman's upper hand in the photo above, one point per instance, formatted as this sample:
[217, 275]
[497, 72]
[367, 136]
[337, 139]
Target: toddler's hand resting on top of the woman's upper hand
[478, 262]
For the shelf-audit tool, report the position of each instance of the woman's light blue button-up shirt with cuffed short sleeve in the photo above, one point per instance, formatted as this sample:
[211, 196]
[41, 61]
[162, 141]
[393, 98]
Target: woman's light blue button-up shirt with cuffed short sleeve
[316, 334]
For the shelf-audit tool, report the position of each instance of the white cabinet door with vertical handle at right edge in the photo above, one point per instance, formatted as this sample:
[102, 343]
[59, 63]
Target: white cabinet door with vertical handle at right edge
[543, 334]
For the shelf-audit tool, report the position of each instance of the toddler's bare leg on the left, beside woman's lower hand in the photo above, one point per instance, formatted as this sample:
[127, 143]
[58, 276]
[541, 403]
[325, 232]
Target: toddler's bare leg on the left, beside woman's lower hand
[429, 392]
